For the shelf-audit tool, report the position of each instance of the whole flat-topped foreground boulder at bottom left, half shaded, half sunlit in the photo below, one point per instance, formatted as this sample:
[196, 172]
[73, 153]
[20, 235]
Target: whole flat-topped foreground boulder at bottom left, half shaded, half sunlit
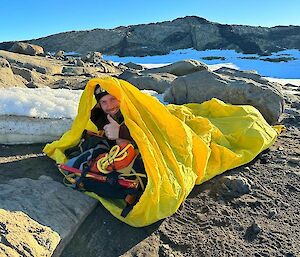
[55, 212]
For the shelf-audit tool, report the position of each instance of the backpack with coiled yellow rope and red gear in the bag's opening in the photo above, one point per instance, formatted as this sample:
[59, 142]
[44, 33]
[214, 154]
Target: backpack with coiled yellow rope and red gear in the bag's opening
[108, 171]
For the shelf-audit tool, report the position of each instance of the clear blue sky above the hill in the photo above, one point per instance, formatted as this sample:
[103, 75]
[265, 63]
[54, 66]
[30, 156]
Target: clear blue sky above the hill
[30, 19]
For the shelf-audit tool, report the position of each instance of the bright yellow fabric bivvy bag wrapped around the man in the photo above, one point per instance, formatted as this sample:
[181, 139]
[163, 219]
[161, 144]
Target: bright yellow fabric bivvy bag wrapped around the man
[181, 145]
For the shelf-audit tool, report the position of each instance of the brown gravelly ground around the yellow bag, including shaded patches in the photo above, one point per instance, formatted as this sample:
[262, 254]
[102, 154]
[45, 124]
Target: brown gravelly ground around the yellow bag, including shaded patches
[219, 218]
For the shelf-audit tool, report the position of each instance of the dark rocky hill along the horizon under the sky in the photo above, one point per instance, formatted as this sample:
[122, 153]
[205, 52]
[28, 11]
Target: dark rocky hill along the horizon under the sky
[162, 37]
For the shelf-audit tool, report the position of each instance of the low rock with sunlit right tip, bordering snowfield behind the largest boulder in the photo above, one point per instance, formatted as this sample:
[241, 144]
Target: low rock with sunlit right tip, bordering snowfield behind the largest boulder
[180, 68]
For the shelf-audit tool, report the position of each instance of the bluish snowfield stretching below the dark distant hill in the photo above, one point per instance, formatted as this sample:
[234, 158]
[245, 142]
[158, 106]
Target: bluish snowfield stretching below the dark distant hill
[288, 70]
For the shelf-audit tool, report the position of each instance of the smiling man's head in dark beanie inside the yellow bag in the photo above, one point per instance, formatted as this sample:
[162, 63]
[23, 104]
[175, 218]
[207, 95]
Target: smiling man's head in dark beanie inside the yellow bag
[108, 103]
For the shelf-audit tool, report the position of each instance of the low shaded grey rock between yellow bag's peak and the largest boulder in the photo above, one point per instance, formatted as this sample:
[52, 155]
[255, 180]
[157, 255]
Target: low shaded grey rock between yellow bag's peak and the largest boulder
[156, 81]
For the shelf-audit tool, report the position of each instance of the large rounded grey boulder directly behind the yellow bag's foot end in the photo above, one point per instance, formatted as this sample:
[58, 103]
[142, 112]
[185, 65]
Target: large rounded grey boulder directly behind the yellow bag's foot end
[204, 85]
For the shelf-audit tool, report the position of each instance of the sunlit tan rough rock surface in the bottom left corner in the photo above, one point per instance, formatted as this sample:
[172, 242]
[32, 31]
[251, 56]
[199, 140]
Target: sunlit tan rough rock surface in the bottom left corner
[23, 236]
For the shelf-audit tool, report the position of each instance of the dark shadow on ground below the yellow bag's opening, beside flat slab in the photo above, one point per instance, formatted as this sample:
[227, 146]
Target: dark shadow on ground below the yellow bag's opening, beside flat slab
[101, 234]
